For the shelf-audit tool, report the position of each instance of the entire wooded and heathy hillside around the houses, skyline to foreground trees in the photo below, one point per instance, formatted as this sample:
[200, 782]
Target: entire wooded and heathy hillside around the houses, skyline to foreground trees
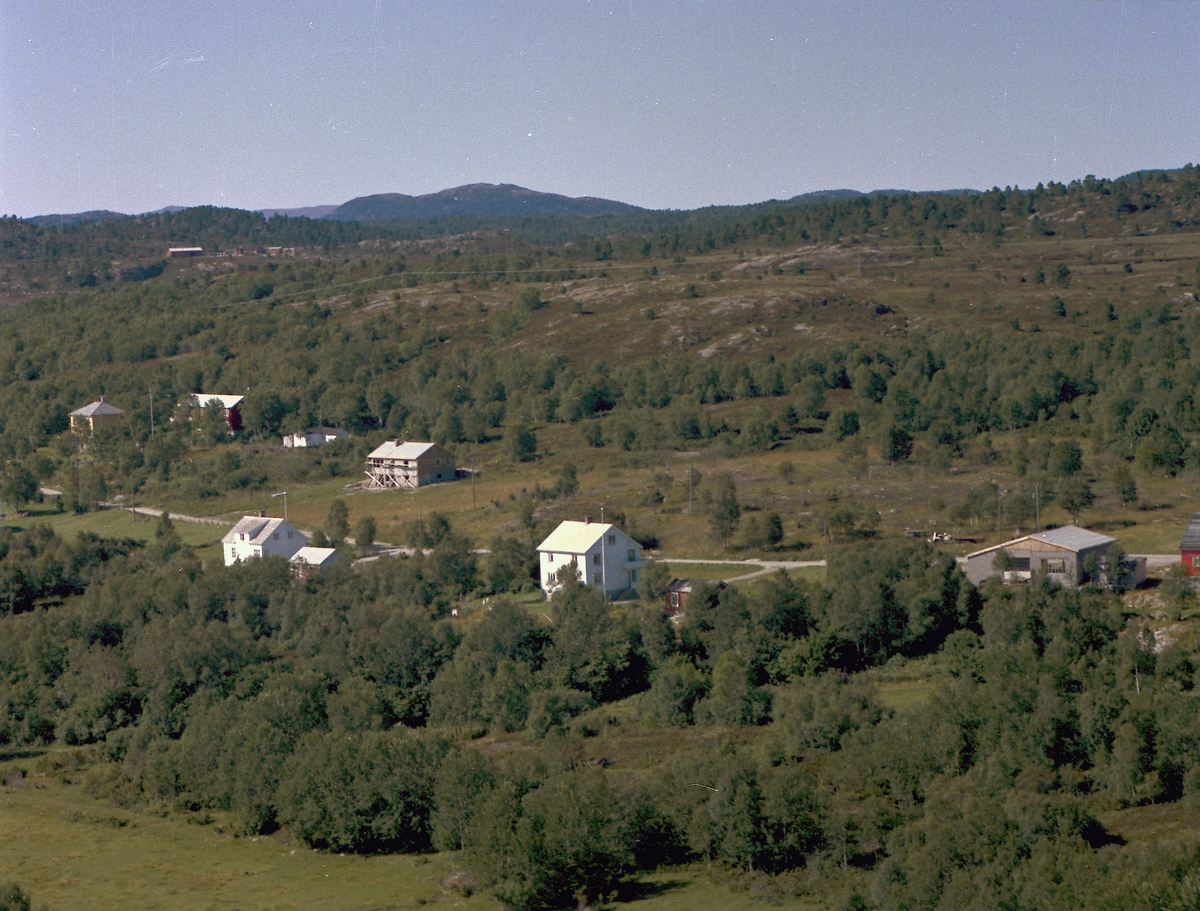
[776, 379]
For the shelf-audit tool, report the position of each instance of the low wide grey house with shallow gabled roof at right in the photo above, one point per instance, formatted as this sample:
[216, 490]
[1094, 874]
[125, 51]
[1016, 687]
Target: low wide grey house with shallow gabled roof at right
[1060, 554]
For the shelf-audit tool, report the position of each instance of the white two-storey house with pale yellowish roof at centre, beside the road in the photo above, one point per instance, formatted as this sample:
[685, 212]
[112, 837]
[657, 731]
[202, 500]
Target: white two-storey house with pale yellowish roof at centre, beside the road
[603, 555]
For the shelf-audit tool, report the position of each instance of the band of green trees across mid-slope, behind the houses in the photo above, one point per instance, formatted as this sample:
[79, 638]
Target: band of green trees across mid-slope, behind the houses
[1131, 391]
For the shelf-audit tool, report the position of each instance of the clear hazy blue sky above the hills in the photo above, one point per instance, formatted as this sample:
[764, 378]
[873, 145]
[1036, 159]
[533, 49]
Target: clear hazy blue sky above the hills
[134, 106]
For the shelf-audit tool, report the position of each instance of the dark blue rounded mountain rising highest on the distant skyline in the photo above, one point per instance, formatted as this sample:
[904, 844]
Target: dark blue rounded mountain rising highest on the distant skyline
[476, 200]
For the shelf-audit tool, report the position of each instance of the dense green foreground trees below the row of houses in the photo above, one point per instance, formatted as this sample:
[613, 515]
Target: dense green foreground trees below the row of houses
[349, 710]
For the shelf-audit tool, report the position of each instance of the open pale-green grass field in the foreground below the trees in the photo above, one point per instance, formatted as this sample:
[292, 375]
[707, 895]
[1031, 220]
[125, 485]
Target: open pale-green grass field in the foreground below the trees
[70, 852]
